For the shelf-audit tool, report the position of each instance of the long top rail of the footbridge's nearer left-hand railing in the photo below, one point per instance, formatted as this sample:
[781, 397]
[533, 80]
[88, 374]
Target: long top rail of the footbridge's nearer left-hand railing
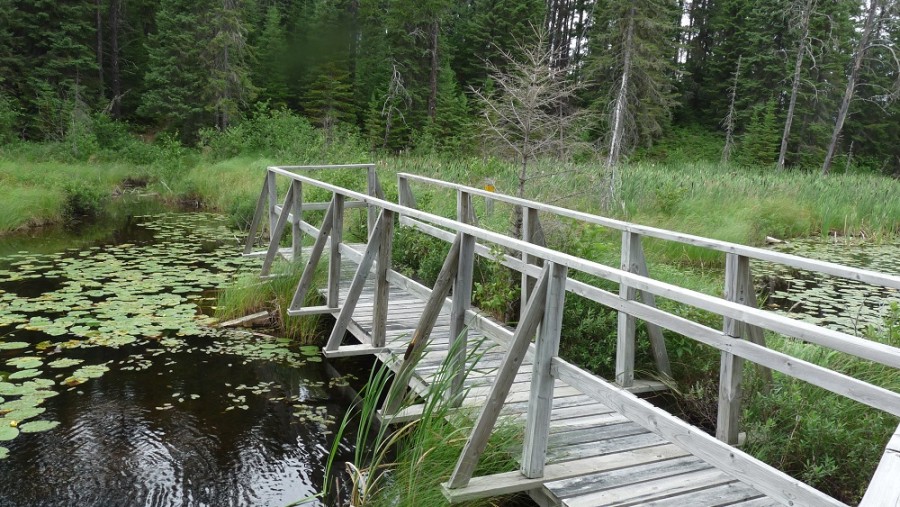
[837, 340]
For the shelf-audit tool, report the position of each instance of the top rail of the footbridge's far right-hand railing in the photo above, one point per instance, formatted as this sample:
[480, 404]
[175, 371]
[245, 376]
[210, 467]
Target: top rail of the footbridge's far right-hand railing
[830, 268]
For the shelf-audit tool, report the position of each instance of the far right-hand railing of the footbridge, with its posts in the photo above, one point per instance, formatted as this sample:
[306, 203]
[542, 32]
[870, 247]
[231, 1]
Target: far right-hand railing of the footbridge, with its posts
[738, 287]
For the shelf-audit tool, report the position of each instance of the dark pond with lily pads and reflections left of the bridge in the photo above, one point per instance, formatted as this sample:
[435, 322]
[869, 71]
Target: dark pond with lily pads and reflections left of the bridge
[114, 390]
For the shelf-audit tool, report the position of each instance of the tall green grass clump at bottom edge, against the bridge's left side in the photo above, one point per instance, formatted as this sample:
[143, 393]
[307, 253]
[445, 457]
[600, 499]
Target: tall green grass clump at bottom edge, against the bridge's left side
[405, 464]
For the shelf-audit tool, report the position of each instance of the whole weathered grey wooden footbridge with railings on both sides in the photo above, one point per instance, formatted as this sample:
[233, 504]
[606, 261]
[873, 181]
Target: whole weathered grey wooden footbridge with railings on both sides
[587, 440]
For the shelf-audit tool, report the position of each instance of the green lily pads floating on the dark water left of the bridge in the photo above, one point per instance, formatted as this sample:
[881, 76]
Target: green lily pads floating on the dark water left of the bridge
[144, 295]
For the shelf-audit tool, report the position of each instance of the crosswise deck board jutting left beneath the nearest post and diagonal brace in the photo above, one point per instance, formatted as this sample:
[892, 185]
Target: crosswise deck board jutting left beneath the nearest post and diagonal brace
[514, 482]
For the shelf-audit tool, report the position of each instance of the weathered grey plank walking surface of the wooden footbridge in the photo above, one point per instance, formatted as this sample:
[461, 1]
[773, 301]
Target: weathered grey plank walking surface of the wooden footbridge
[639, 467]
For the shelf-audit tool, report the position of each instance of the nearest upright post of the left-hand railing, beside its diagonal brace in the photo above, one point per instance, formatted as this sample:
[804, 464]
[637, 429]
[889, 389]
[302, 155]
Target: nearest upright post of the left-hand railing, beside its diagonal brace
[540, 403]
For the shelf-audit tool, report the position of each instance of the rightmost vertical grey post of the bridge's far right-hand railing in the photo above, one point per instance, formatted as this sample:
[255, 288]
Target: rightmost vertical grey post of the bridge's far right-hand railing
[731, 370]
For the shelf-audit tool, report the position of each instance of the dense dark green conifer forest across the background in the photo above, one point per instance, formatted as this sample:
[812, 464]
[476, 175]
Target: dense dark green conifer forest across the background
[805, 84]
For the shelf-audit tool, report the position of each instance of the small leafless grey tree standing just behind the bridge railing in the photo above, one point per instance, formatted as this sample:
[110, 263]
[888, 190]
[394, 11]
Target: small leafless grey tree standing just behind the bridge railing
[529, 115]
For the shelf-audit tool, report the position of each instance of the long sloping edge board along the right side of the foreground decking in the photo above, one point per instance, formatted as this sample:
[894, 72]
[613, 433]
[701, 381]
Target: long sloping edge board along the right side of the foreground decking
[733, 461]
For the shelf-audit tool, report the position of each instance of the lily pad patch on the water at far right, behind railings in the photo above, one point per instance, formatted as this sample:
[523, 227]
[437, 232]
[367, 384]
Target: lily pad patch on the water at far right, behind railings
[837, 303]
